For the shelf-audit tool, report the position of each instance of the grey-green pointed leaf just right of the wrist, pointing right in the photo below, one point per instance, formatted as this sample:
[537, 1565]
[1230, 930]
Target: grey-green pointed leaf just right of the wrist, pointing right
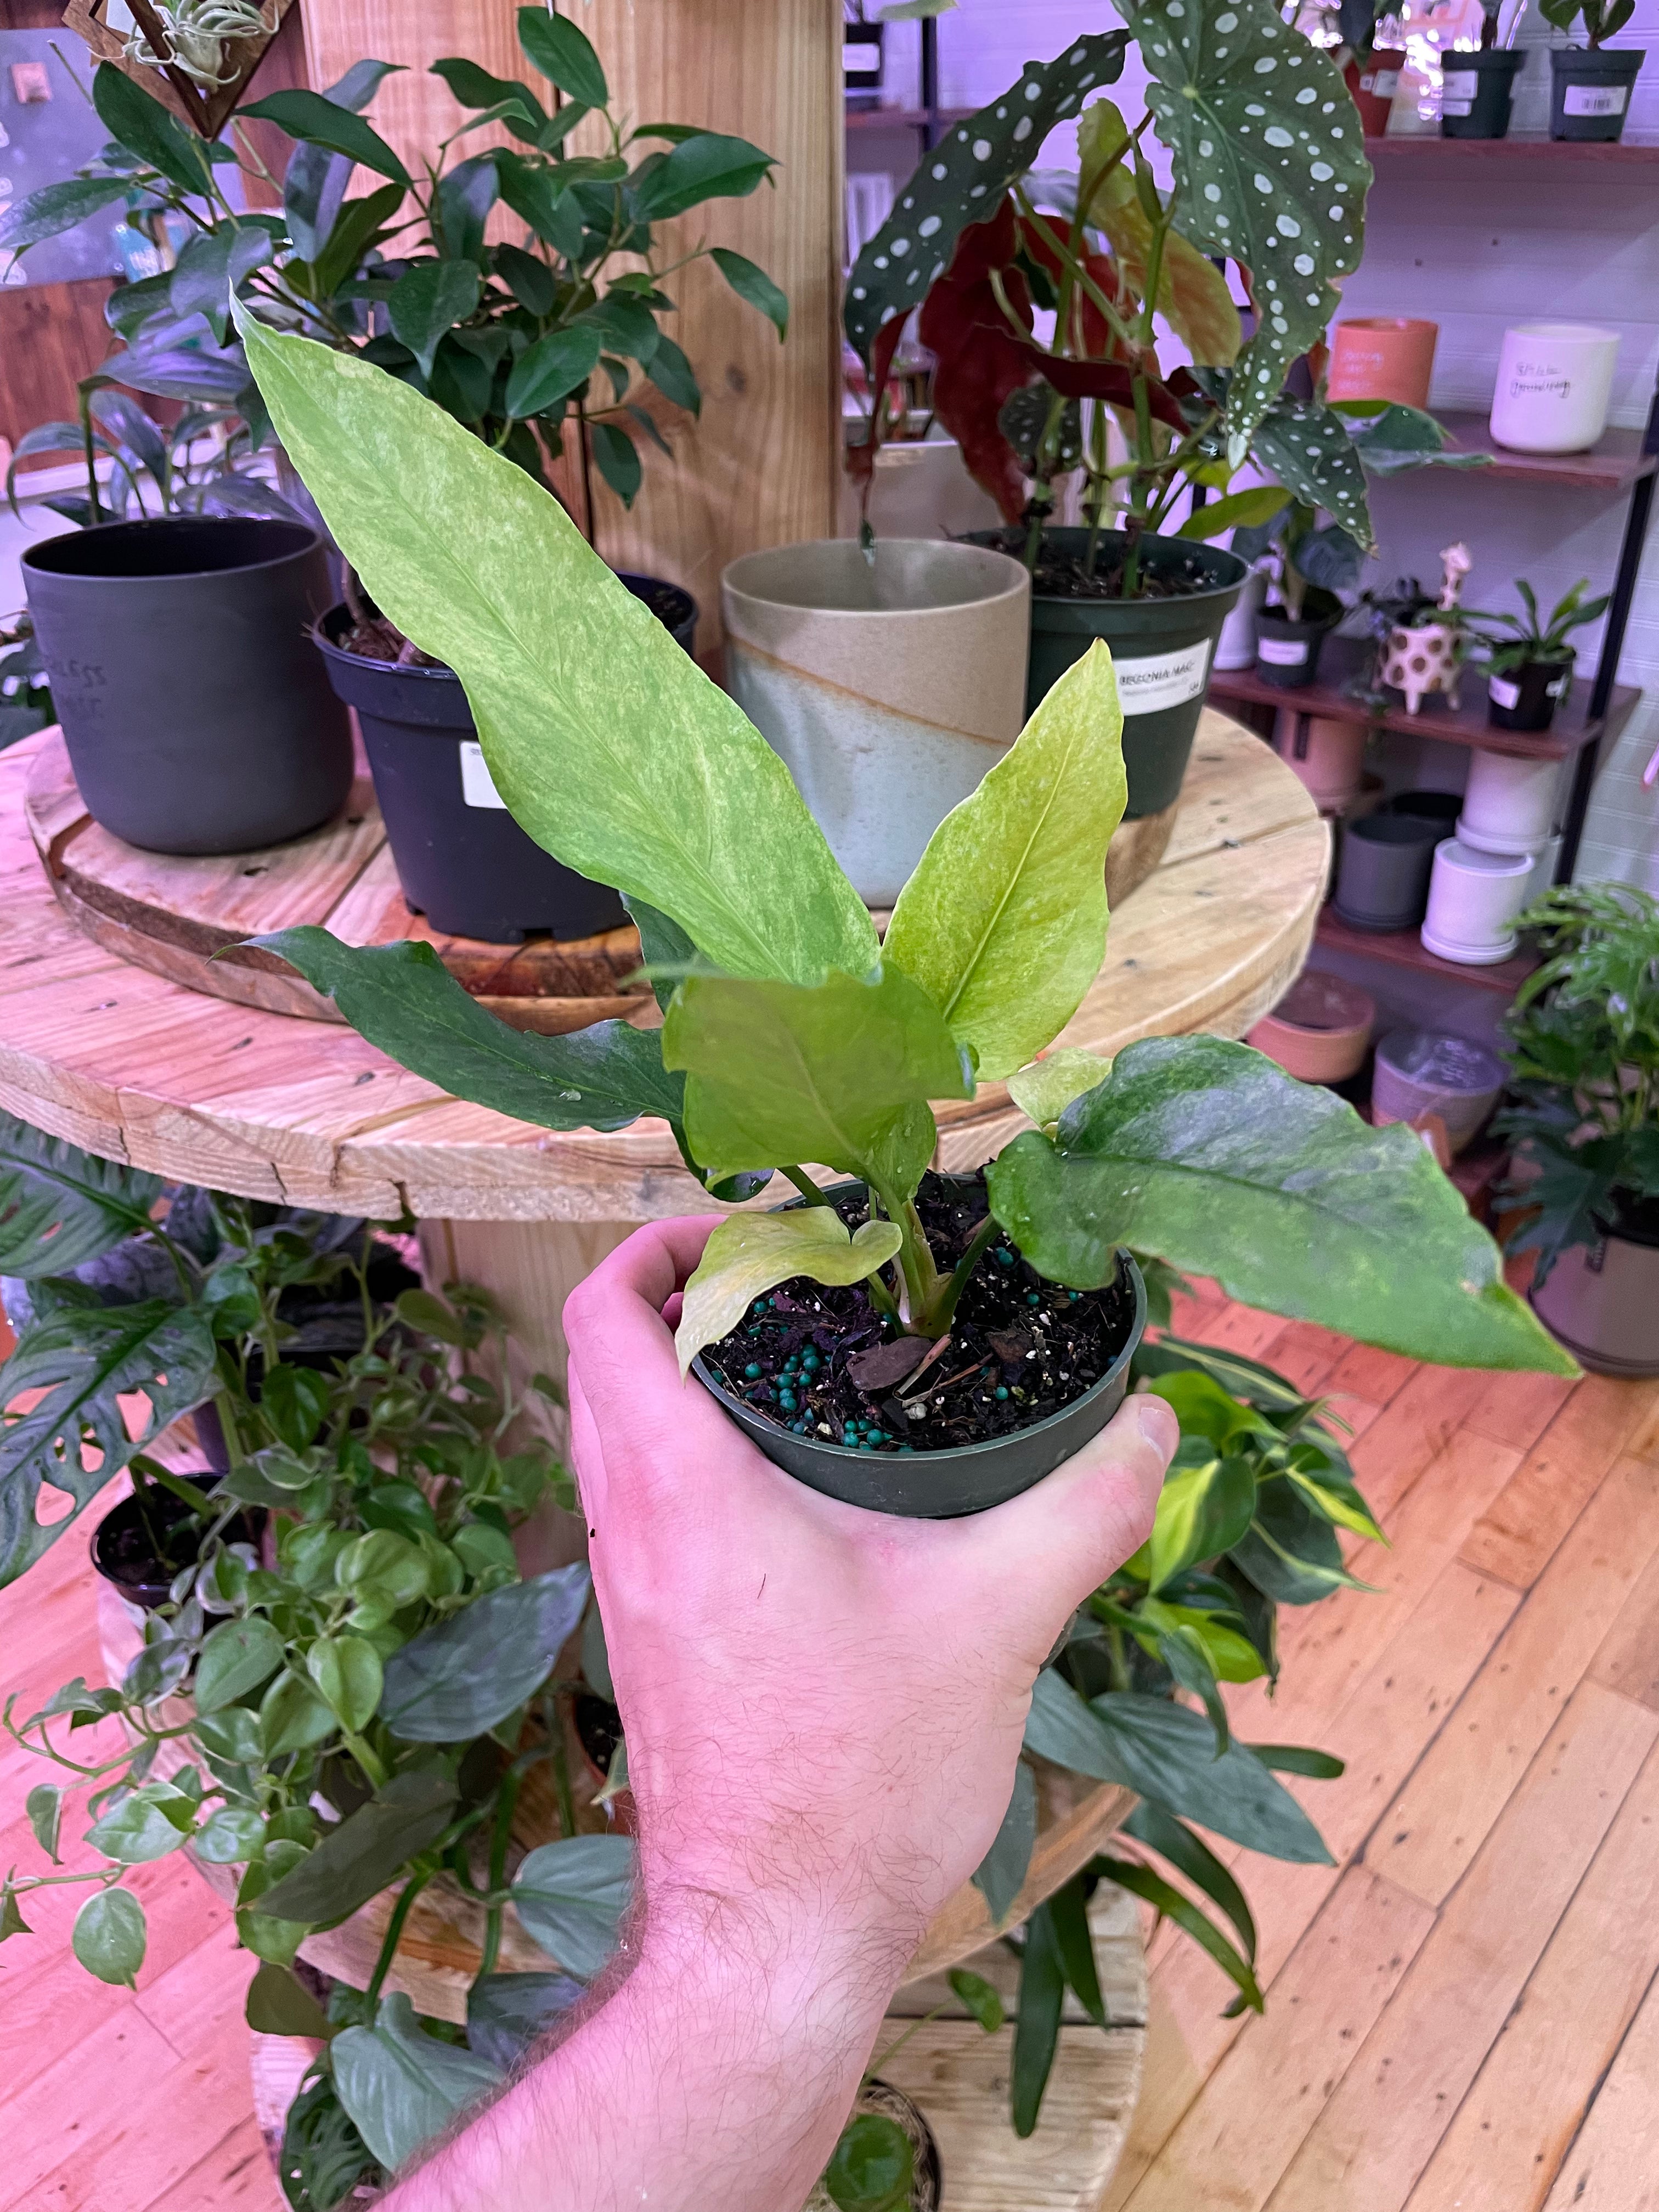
[1167, 1753]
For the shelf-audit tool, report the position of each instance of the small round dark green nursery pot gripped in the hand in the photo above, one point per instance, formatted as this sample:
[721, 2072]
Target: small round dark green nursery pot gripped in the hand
[959, 1481]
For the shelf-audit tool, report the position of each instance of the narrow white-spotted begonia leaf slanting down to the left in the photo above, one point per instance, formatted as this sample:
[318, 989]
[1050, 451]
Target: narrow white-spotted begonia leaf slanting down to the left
[963, 182]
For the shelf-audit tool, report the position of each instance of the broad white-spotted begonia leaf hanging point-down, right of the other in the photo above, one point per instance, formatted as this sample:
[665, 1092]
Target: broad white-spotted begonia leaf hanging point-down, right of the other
[1269, 171]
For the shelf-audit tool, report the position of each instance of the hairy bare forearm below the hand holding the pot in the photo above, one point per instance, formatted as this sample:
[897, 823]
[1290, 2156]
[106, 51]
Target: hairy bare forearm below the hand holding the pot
[720, 2072]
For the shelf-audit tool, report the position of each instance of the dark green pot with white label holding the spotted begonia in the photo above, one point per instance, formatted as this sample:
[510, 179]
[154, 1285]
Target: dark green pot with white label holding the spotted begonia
[1162, 647]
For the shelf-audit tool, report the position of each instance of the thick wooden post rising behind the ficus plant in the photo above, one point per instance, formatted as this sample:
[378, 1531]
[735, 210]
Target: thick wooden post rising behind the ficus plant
[762, 466]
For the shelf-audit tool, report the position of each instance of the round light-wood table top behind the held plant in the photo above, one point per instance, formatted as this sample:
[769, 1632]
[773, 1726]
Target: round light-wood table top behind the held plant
[145, 1070]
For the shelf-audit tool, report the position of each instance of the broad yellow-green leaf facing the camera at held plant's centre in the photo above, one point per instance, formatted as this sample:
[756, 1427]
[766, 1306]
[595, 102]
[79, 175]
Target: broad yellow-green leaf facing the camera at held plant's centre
[835, 1074]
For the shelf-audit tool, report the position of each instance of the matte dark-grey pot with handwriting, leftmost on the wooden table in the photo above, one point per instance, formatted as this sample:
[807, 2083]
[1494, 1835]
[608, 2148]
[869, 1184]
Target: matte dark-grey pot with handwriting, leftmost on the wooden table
[196, 713]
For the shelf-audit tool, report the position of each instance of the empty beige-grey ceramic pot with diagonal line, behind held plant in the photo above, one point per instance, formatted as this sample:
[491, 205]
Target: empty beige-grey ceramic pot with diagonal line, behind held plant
[888, 689]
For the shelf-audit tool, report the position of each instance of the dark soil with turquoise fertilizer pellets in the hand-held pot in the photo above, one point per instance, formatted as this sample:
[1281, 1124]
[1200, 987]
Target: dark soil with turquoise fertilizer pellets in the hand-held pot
[1019, 1348]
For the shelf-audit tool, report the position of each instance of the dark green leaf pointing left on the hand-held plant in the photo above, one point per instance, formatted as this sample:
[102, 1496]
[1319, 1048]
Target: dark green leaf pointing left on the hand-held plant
[408, 1003]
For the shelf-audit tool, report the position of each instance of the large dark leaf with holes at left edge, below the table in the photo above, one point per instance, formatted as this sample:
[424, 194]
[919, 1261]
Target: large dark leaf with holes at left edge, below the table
[83, 1361]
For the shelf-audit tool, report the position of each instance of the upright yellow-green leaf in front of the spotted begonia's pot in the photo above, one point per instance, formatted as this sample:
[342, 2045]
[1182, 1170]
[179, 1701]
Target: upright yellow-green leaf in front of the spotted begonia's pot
[1003, 924]
